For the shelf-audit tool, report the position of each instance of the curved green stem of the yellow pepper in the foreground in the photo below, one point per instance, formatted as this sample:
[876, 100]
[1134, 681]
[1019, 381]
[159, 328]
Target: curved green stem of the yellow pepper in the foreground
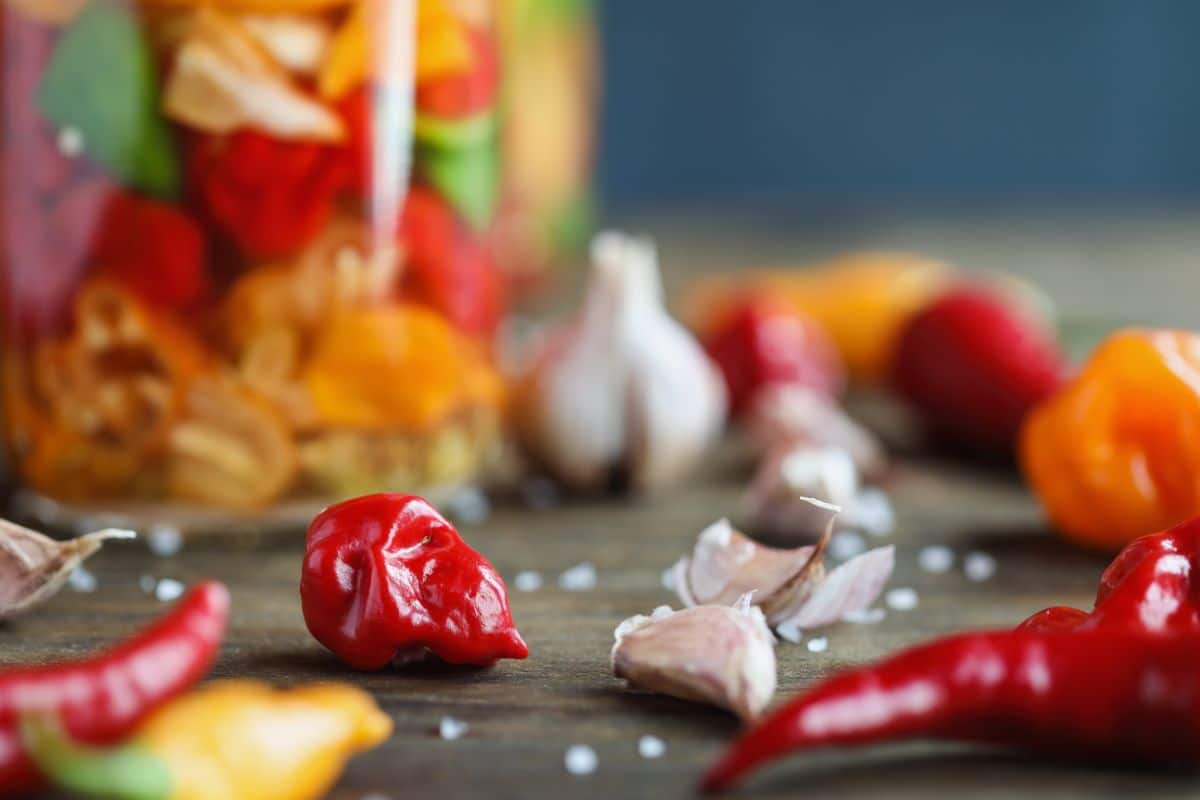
[122, 773]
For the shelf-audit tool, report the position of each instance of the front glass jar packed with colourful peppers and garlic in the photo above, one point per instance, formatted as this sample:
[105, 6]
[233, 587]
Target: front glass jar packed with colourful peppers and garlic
[247, 258]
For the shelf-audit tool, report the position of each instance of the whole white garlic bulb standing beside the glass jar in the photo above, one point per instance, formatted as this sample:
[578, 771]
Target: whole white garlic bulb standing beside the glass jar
[626, 388]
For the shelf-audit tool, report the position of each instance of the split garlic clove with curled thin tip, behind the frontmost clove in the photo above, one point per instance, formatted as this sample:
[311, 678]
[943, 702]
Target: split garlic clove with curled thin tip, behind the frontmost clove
[790, 586]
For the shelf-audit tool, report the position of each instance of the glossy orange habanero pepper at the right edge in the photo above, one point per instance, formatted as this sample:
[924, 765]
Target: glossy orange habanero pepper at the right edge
[1115, 454]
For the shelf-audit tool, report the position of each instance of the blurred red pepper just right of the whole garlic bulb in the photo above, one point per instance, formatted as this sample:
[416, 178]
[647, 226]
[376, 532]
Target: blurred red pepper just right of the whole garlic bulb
[761, 344]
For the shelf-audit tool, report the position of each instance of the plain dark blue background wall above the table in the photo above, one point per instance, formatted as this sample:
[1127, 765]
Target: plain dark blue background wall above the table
[868, 103]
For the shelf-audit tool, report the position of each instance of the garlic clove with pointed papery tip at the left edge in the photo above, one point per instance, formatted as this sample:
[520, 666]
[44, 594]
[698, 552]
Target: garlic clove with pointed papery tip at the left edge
[34, 567]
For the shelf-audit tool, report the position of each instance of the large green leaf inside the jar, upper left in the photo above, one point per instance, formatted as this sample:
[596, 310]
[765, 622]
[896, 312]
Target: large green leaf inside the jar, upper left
[101, 82]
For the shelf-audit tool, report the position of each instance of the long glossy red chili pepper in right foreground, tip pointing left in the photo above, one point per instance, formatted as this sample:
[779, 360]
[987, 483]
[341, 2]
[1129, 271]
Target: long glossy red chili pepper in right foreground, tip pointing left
[1073, 695]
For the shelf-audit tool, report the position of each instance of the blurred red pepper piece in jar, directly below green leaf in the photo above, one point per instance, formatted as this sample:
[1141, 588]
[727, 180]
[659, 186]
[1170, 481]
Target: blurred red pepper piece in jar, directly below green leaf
[153, 249]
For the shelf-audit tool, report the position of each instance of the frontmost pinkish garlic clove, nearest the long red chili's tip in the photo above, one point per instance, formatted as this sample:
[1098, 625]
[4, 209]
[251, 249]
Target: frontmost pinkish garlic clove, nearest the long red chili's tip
[711, 654]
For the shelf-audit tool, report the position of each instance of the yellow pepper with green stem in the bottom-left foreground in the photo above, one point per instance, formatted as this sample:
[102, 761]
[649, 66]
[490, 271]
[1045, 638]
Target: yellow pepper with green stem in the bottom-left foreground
[230, 741]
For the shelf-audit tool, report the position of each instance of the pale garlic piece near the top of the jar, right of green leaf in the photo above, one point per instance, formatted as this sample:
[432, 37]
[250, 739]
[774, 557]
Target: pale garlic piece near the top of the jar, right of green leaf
[224, 80]
